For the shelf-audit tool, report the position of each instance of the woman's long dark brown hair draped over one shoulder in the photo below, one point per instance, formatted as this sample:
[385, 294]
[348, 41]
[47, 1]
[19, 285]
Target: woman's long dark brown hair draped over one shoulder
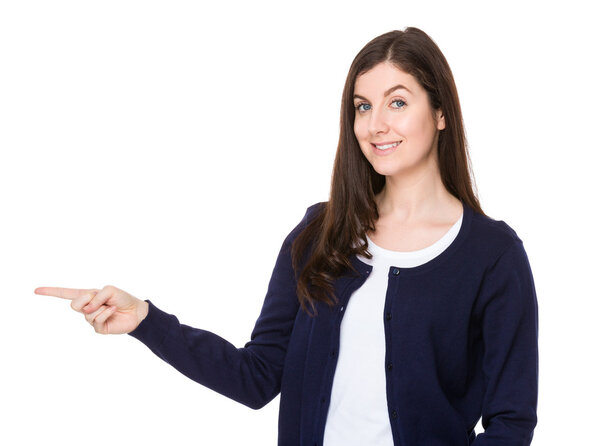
[338, 231]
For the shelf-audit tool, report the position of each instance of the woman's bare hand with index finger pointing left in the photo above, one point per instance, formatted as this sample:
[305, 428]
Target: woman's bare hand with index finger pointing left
[109, 310]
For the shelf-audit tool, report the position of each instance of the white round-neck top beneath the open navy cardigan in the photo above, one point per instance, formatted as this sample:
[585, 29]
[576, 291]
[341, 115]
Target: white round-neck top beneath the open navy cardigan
[358, 411]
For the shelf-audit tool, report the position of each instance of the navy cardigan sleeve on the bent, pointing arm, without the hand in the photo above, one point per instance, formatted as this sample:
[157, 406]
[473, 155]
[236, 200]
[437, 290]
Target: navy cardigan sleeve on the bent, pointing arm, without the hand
[250, 375]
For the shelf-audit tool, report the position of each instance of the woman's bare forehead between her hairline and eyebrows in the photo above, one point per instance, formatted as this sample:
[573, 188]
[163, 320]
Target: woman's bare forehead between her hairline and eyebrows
[383, 76]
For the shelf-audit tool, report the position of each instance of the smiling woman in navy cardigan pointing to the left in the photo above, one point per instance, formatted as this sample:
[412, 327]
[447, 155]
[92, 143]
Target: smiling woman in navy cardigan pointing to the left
[398, 313]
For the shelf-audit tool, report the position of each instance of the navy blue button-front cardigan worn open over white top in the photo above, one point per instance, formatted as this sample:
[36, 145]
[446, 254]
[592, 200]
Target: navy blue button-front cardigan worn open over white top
[461, 342]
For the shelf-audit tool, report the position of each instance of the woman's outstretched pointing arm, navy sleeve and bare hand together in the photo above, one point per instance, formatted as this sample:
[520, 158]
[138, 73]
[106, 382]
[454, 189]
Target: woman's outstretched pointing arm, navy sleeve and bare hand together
[250, 375]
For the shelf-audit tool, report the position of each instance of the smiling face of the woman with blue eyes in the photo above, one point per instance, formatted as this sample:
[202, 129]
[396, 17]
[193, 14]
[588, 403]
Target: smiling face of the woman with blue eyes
[395, 126]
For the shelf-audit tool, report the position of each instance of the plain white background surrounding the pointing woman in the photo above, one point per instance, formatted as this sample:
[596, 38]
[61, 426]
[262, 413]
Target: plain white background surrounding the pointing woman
[167, 148]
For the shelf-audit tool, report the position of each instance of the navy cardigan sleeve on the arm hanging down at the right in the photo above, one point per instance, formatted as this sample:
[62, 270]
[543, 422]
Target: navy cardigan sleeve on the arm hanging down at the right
[509, 324]
